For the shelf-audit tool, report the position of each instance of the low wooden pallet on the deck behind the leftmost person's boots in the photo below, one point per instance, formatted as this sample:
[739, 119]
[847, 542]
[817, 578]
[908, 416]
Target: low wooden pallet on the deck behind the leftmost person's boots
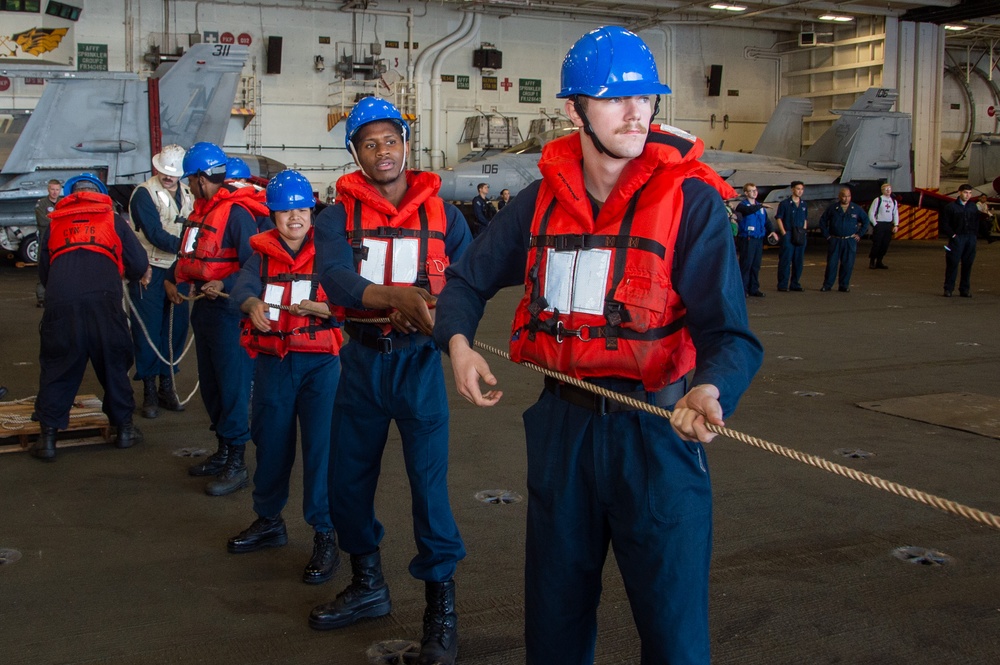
[87, 425]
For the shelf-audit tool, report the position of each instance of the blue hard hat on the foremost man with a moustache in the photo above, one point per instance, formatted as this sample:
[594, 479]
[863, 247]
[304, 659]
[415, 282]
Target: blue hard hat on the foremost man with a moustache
[610, 62]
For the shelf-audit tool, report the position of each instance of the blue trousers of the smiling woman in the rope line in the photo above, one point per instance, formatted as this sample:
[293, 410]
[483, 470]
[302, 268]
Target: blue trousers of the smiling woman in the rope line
[301, 386]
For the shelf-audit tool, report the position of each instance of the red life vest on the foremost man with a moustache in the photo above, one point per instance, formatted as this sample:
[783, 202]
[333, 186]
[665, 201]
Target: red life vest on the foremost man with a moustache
[631, 325]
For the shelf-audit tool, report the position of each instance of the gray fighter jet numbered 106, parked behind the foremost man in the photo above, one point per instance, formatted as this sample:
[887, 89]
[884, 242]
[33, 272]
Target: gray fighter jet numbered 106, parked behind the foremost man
[867, 145]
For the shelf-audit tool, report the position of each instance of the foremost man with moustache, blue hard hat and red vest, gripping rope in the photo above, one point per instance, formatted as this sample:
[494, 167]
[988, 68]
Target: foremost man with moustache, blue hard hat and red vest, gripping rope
[631, 284]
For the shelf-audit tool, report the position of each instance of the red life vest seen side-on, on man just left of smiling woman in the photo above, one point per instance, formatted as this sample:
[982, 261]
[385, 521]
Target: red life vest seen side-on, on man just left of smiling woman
[202, 257]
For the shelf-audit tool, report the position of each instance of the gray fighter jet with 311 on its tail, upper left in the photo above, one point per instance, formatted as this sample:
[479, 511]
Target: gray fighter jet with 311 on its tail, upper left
[107, 123]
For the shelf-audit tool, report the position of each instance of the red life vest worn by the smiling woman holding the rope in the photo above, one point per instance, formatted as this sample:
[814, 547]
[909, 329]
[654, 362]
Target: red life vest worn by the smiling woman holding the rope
[303, 334]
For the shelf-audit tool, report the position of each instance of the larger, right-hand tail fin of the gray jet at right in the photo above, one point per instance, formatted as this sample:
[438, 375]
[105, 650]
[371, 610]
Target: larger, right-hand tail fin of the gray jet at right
[869, 140]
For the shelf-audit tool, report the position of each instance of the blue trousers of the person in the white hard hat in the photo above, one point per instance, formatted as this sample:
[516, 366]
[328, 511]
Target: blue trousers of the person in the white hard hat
[152, 306]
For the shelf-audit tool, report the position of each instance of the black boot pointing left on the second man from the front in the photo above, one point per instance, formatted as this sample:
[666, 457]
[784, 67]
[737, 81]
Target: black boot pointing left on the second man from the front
[367, 596]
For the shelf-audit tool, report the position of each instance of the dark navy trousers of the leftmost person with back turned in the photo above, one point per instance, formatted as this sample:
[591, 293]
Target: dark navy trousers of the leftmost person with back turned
[93, 329]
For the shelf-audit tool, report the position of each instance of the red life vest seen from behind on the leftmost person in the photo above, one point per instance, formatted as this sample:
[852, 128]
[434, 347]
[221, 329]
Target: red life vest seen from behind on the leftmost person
[85, 220]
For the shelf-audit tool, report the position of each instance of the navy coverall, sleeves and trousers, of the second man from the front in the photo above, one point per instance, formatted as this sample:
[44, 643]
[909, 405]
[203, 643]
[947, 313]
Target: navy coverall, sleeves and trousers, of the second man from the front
[377, 387]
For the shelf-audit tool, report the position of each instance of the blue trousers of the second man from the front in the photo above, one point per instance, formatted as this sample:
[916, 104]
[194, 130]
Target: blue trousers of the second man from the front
[407, 386]
